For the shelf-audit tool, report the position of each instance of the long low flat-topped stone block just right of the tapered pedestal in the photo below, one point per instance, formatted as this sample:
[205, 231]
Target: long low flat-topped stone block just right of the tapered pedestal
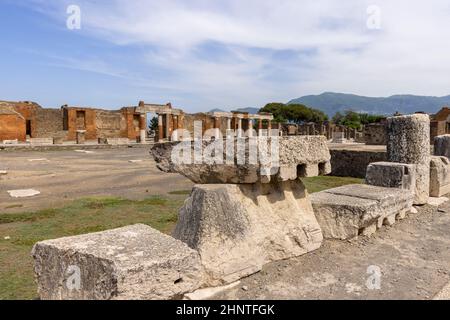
[345, 212]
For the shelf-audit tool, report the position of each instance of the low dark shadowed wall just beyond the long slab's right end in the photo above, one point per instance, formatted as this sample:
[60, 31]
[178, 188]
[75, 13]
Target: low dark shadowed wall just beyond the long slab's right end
[353, 163]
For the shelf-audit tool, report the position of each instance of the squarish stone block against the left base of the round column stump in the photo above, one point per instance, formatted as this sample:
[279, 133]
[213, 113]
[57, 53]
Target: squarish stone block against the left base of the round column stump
[392, 175]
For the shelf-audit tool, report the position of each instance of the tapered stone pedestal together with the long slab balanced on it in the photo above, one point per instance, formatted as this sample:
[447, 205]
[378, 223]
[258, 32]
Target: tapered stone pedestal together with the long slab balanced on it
[241, 216]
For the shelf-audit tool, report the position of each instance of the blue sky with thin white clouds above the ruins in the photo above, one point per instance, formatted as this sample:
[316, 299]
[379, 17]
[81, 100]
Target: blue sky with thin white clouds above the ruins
[227, 54]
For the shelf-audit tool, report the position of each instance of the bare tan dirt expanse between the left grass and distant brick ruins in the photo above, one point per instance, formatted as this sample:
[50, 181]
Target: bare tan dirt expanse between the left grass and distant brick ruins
[62, 176]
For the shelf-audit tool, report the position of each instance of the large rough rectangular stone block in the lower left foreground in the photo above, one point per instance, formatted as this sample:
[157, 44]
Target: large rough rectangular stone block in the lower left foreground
[134, 262]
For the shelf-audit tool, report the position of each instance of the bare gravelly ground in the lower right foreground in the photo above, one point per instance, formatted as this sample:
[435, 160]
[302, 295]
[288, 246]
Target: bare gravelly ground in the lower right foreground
[413, 257]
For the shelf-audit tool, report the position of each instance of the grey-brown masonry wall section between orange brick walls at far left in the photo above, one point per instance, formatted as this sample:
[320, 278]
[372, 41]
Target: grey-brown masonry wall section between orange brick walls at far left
[48, 123]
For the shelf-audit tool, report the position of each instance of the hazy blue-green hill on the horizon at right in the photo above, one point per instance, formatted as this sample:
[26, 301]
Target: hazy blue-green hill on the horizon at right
[331, 102]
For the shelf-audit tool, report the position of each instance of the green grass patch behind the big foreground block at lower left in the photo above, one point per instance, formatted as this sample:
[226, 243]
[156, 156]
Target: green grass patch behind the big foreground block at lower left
[79, 217]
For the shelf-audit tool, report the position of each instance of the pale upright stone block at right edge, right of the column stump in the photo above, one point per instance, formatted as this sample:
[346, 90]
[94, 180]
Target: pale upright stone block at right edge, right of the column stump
[439, 176]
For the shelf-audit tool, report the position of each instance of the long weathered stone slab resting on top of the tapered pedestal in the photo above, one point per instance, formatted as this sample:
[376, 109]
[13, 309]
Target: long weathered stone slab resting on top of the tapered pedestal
[299, 156]
